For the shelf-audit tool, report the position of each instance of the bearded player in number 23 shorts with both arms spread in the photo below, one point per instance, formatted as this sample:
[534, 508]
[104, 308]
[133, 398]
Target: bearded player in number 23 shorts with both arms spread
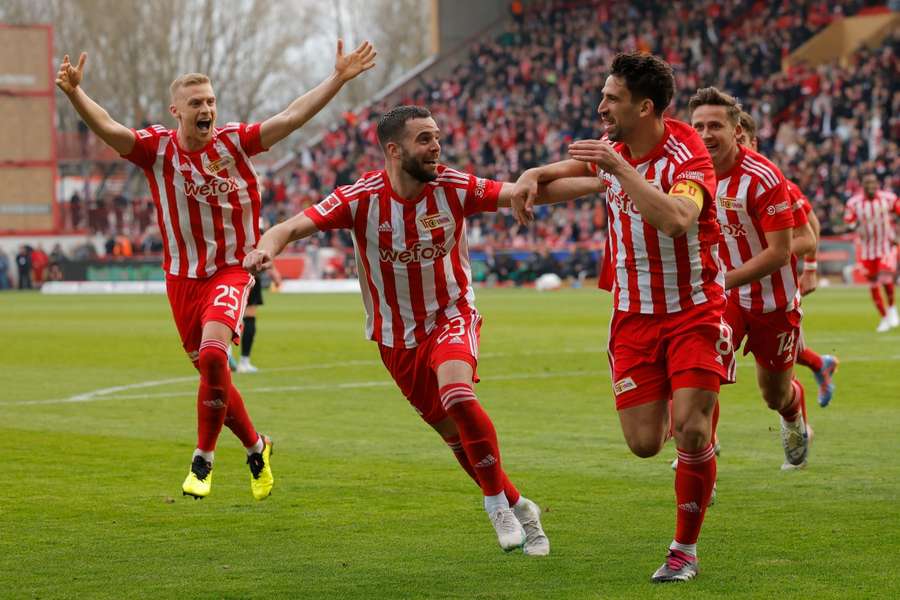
[407, 222]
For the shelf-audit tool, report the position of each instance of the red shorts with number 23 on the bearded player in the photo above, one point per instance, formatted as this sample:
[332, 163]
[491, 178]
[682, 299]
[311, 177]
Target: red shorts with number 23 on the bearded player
[415, 369]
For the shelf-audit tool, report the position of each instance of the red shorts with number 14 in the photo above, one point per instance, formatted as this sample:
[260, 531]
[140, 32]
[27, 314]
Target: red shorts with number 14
[773, 338]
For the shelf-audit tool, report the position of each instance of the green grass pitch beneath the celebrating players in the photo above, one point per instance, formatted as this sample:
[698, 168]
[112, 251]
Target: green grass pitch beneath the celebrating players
[369, 503]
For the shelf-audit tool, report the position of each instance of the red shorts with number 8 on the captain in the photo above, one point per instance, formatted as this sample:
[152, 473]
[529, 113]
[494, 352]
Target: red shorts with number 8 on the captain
[650, 356]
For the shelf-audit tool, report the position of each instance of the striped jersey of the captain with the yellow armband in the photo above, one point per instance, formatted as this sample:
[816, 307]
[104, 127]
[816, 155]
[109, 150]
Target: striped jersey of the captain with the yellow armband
[654, 273]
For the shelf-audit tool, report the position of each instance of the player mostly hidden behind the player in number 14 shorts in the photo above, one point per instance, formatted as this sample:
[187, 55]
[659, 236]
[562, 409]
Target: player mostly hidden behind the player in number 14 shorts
[823, 366]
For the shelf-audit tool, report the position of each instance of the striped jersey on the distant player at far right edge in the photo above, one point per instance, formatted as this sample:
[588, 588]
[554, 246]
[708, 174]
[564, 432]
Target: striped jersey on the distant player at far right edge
[874, 218]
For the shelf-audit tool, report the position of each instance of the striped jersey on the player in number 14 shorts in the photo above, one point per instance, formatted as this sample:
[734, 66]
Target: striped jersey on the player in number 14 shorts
[751, 200]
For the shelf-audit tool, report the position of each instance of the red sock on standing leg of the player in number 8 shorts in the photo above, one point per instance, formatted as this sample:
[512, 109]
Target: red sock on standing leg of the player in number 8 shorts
[695, 477]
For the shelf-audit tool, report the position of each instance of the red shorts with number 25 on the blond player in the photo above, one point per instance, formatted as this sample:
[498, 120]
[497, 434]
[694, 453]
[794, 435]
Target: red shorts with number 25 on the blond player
[221, 298]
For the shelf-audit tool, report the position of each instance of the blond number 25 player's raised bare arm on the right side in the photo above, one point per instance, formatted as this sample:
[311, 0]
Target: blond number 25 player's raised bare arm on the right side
[304, 108]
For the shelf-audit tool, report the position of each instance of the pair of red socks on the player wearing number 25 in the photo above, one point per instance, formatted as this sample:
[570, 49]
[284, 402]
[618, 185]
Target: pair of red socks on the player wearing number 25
[218, 401]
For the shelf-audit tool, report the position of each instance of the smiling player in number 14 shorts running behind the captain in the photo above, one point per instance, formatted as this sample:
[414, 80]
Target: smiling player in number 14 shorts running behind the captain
[756, 215]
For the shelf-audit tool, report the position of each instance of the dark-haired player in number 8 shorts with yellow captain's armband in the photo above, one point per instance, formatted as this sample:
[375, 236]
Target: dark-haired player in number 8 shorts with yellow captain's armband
[667, 335]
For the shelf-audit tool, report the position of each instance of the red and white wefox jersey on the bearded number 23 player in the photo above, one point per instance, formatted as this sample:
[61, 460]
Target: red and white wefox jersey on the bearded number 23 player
[411, 255]
